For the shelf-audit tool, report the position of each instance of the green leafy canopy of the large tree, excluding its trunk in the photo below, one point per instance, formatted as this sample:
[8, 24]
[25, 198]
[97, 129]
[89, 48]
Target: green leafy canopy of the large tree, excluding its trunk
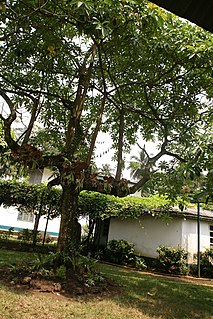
[138, 49]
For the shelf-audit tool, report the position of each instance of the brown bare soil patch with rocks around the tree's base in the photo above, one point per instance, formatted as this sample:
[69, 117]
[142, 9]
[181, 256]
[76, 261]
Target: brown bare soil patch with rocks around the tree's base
[35, 283]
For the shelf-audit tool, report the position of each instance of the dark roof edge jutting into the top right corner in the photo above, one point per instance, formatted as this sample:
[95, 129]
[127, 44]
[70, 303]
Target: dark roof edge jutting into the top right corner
[199, 12]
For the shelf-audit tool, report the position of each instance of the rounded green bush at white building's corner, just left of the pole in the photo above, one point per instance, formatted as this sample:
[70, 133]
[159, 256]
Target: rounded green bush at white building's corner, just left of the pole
[173, 260]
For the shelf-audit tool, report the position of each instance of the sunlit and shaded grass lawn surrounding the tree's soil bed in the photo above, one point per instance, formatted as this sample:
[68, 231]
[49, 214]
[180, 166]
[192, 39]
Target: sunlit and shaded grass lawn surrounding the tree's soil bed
[141, 296]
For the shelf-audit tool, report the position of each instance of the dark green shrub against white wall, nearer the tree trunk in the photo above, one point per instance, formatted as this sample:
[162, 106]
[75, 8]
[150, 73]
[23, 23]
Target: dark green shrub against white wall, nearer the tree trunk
[121, 252]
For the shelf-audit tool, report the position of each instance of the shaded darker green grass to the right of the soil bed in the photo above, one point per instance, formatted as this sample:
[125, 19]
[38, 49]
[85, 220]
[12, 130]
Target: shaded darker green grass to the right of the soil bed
[161, 297]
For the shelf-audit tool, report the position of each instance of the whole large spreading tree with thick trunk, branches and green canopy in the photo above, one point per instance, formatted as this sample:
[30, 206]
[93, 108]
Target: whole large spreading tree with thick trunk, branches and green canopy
[72, 68]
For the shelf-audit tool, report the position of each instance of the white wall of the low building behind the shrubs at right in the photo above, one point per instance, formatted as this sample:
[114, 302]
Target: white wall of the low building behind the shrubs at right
[147, 233]
